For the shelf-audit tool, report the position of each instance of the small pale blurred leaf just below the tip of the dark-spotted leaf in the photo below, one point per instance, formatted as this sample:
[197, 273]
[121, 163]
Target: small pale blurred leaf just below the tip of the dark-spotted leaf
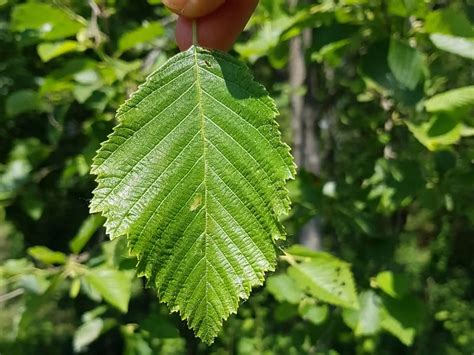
[366, 320]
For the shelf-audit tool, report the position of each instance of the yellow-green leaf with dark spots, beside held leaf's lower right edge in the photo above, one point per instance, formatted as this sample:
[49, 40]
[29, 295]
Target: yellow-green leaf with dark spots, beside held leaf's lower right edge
[325, 277]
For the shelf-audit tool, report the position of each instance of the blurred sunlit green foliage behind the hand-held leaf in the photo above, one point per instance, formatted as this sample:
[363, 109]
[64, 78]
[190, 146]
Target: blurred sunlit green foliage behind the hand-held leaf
[388, 98]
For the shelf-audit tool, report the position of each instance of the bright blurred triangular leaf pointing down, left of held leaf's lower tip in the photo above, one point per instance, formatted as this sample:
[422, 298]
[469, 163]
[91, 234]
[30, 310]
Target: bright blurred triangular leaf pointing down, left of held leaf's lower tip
[113, 285]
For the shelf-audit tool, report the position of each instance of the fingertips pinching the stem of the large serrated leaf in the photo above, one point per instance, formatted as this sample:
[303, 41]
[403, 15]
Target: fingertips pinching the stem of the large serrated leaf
[219, 22]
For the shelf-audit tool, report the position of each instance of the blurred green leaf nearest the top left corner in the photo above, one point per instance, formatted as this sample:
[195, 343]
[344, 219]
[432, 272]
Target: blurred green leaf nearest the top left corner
[50, 22]
